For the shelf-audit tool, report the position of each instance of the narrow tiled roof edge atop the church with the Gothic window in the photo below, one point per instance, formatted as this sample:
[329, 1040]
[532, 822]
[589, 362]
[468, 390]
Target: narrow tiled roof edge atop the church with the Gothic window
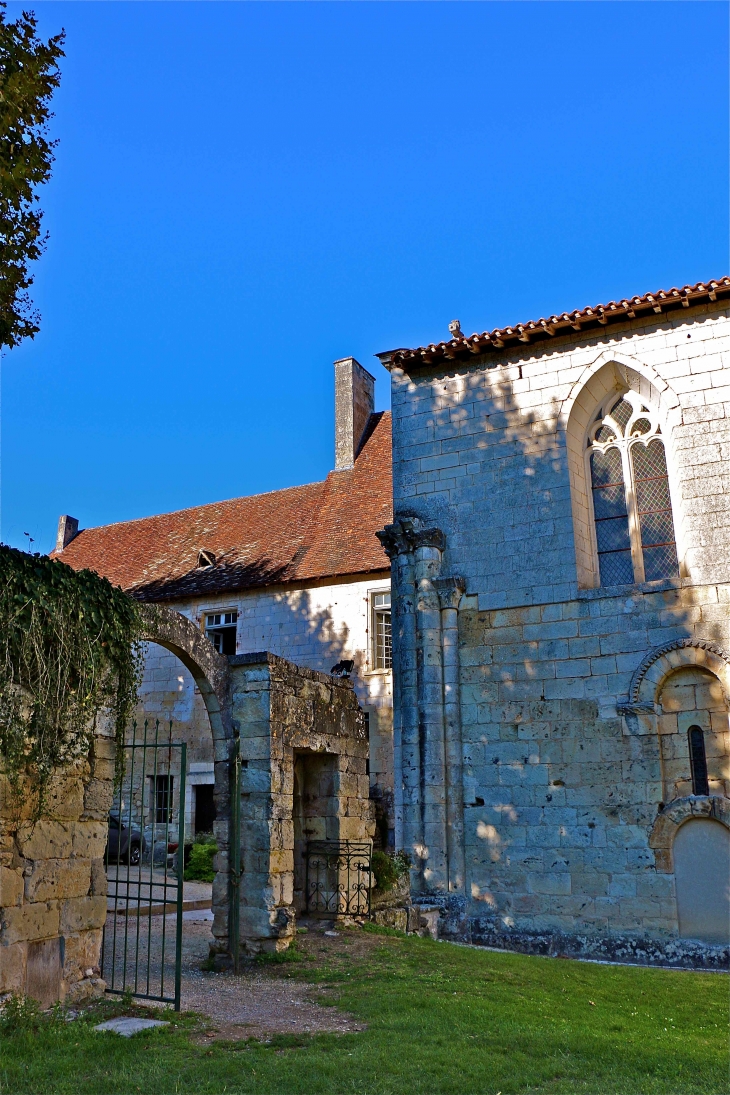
[532, 331]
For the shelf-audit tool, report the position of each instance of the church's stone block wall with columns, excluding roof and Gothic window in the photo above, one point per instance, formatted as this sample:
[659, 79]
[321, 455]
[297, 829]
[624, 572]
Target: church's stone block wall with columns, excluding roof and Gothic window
[563, 774]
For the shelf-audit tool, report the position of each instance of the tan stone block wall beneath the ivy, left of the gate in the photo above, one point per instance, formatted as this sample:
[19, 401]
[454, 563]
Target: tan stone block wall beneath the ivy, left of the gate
[53, 884]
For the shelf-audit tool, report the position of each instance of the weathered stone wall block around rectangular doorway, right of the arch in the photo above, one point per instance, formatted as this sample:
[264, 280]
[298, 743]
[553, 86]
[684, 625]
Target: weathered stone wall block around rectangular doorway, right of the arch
[283, 711]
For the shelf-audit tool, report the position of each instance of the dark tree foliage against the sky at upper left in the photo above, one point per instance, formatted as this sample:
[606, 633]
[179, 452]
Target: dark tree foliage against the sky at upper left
[29, 76]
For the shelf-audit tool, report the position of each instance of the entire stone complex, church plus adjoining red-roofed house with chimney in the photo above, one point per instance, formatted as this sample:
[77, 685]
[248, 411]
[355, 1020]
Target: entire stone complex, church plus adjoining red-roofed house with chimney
[553, 748]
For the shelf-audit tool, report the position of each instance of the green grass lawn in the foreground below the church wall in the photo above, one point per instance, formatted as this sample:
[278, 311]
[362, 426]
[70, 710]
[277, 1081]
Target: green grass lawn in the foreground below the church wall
[441, 1019]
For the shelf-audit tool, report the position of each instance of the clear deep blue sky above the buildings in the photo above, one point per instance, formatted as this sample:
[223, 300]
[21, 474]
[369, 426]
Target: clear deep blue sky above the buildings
[246, 192]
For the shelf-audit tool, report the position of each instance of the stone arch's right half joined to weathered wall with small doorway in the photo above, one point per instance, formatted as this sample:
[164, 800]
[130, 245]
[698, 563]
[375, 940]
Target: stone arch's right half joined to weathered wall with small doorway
[272, 712]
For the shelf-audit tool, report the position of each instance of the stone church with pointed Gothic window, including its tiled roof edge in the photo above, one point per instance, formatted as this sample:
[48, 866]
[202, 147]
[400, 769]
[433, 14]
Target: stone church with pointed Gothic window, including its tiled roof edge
[561, 555]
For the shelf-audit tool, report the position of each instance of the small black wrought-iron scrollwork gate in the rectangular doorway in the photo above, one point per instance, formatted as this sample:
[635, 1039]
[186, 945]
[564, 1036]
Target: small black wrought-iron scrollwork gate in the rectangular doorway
[339, 879]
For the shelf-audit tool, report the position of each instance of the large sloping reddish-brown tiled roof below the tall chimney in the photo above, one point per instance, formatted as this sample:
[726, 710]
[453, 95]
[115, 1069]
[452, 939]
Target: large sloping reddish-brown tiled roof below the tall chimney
[302, 534]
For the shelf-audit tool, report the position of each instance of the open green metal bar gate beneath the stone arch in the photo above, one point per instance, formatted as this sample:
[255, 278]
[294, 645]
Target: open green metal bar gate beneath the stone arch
[142, 953]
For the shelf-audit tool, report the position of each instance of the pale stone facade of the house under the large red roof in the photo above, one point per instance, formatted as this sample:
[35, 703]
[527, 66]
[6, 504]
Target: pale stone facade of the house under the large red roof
[316, 628]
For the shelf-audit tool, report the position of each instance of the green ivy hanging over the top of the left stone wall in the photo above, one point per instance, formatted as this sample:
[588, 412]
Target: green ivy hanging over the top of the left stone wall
[69, 648]
